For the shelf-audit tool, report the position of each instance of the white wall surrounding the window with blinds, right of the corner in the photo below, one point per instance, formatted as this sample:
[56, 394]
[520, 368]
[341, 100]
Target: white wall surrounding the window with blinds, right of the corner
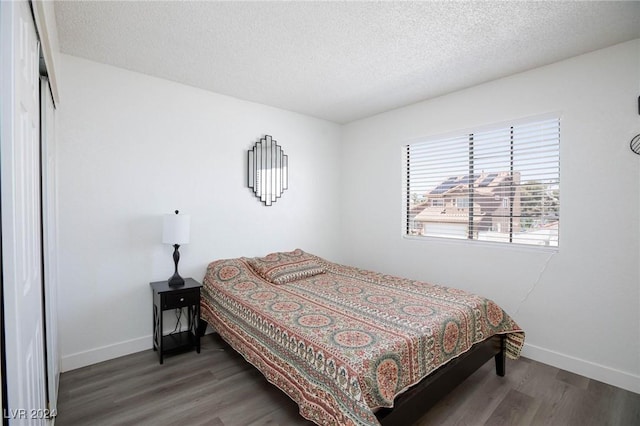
[580, 306]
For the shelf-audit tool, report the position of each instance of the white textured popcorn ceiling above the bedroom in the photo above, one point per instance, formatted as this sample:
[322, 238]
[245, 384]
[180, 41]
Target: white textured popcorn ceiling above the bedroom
[340, 61]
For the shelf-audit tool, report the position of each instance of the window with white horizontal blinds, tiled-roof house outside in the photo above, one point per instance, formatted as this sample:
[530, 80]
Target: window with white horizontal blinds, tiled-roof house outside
[501, 185]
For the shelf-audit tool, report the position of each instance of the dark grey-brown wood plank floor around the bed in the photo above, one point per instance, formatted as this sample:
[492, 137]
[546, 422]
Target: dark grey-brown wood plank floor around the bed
[217, 387]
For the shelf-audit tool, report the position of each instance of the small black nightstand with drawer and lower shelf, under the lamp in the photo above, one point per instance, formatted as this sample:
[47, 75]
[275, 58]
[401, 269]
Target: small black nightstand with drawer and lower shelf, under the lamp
[168, 298]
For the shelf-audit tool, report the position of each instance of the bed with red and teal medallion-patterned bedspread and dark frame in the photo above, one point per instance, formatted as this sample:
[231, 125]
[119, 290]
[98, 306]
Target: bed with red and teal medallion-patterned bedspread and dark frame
[351, 346]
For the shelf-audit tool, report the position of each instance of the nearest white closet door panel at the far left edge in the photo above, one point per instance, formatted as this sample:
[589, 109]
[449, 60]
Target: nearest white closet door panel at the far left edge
[21, 220]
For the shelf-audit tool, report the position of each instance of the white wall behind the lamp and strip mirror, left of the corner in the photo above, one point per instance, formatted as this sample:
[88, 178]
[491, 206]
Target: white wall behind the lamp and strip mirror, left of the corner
[132, 148]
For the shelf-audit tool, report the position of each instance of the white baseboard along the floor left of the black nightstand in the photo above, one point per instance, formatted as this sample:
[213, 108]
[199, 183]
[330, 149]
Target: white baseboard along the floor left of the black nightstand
[104, 353]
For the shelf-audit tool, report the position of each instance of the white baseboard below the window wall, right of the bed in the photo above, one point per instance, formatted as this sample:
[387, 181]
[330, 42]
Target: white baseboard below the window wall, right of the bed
[601, 373]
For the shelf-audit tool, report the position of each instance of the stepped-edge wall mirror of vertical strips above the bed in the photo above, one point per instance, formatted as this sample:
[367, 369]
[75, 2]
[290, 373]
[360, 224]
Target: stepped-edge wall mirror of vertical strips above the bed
[268, 170]
